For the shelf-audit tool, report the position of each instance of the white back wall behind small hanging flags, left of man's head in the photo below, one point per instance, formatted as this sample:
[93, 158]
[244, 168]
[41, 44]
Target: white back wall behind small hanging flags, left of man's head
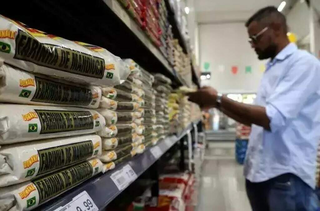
[227, 45]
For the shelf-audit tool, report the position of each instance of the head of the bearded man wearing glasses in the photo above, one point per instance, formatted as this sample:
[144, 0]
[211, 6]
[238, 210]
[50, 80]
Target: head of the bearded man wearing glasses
[267, 31]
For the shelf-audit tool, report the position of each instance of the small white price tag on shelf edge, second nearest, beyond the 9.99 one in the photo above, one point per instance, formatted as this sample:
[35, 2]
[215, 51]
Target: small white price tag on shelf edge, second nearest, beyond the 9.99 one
[123, 177]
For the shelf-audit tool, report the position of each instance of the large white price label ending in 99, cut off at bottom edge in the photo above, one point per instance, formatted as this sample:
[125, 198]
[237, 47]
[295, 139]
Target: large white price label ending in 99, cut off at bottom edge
[82, 202]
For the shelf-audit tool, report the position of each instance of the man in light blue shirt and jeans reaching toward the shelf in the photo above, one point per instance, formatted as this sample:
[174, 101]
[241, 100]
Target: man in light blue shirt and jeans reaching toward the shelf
[281, 158]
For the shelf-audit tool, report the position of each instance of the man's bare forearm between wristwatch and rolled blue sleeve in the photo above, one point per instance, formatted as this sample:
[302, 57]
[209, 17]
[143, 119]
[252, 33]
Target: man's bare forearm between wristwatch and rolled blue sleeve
[246, 114]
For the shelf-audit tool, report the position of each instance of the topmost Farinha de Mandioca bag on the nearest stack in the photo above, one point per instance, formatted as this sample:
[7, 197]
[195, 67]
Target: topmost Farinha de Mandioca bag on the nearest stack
[35, 51]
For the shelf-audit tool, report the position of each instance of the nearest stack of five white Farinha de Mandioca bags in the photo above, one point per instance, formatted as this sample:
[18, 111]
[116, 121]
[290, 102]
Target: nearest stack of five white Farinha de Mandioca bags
[51, 87]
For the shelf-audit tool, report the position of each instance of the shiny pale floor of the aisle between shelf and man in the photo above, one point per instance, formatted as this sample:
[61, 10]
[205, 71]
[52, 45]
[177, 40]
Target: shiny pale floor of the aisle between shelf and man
[223, 185]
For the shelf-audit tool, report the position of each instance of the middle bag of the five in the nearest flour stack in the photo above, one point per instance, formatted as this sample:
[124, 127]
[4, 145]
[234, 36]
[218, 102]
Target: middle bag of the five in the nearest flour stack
[19, 123]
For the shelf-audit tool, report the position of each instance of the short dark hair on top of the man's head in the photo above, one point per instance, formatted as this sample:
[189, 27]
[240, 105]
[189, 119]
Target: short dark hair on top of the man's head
[268, 15]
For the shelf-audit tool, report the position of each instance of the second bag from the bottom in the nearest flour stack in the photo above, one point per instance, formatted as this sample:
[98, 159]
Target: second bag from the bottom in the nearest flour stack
[23, 162]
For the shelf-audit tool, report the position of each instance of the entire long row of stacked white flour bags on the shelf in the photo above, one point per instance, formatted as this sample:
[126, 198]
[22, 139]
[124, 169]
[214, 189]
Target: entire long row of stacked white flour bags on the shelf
[72, 110]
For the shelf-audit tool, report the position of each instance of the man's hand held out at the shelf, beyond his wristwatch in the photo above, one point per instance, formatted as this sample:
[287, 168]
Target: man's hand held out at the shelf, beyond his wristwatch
[205, 97]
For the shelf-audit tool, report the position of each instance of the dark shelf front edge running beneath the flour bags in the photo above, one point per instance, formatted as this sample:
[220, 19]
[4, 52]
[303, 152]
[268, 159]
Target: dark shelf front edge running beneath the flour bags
[102, 189]
